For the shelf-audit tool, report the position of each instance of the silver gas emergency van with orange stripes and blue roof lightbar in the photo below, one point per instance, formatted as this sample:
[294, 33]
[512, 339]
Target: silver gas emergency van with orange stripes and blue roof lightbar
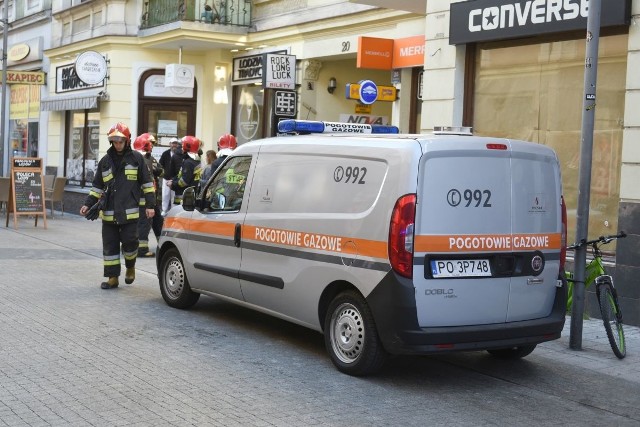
[386, 243]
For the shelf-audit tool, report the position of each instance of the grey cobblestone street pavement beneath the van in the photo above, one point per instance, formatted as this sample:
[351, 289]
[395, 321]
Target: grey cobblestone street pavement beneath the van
[73, 354]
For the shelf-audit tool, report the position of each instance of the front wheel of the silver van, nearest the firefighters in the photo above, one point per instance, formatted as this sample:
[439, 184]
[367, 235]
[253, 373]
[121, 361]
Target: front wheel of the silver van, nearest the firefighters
[174, 285]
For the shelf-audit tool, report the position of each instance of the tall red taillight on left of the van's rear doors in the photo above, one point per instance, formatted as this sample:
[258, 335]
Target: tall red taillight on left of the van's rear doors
[401, 235]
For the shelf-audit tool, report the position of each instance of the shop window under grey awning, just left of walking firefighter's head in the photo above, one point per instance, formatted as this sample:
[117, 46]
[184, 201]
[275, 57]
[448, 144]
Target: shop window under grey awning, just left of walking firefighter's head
[81, 150]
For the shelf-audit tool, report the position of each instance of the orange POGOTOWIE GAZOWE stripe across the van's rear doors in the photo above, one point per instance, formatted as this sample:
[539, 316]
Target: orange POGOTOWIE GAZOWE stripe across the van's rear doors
[487, 242]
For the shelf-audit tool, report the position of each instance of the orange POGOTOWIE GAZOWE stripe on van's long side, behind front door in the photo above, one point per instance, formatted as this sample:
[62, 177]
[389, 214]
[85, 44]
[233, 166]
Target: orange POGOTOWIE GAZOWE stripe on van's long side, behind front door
[315, 241]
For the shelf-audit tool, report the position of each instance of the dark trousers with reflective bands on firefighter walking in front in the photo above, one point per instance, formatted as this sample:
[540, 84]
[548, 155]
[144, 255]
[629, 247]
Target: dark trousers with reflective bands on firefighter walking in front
[113, 235]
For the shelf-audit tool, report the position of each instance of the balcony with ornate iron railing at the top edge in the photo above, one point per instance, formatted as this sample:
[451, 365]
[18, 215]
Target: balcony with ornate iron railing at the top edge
[223, 12]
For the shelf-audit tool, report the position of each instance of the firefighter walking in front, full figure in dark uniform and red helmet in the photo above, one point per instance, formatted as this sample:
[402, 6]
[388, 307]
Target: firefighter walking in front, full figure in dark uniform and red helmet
[124, 172]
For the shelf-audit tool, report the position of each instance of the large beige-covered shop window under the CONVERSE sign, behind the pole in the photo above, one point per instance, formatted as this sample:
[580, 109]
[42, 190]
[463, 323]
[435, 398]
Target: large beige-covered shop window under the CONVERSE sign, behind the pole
[535, 93]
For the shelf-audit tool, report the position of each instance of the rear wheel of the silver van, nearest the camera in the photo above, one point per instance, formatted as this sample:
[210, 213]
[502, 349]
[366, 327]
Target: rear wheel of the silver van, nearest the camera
[350, 336]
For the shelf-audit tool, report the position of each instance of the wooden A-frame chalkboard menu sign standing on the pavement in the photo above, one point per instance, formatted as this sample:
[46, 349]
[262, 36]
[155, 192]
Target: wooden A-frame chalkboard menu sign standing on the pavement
[27, 190]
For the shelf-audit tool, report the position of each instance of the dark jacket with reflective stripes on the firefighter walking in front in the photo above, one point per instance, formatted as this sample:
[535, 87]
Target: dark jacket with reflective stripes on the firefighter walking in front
[130, 181]
